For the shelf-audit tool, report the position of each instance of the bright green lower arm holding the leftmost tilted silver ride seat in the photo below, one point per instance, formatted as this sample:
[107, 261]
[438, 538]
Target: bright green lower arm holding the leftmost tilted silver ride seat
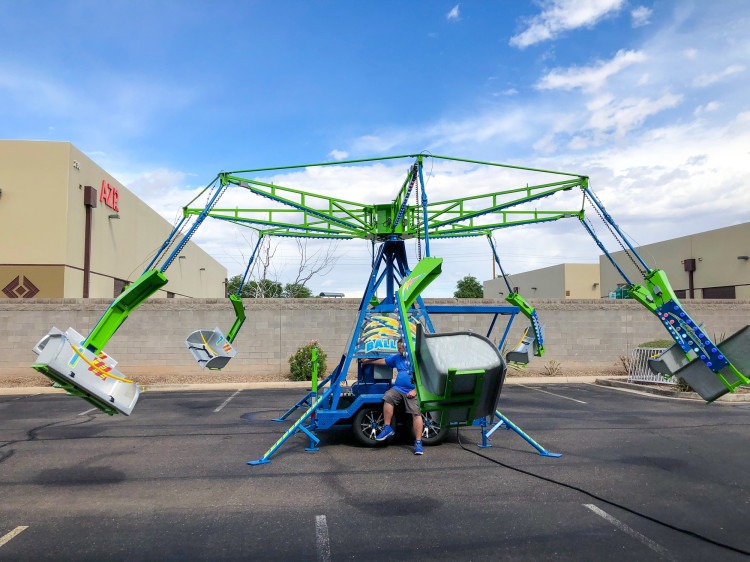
[122, 306]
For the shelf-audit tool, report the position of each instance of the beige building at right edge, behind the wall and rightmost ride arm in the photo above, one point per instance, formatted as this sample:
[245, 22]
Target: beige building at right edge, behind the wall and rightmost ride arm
[716, 264]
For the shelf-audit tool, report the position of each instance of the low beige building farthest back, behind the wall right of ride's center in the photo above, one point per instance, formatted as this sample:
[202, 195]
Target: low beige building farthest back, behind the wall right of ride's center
[563, 281]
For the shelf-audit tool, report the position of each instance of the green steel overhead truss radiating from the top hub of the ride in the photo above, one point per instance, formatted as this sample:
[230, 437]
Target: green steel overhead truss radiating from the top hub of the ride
[303, 214]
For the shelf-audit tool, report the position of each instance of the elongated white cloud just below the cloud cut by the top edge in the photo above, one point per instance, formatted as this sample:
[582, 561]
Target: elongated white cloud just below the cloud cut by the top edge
[589, 78]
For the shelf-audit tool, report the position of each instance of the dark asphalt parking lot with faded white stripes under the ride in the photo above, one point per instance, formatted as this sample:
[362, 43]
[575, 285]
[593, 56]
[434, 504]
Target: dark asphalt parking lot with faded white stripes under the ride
[641, 478]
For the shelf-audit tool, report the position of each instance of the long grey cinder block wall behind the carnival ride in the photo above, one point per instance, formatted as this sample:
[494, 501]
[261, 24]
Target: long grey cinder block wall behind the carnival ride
[586, 335]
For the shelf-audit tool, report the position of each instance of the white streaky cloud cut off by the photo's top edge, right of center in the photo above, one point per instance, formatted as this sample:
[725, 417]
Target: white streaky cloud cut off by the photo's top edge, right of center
[559, 16]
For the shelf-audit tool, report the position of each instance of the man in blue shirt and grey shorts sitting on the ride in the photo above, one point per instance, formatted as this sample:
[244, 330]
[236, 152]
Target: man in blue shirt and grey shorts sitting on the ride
[402, 391]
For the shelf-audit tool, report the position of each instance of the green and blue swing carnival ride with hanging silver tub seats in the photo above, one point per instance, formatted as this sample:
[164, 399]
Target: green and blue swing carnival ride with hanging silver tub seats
[455, 387]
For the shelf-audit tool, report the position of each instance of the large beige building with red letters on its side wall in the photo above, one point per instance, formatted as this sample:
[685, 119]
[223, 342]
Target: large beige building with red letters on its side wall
[69, 230]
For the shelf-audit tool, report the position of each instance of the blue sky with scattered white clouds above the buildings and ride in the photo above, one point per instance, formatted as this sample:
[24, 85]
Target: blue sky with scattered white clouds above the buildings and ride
[650, 99]
